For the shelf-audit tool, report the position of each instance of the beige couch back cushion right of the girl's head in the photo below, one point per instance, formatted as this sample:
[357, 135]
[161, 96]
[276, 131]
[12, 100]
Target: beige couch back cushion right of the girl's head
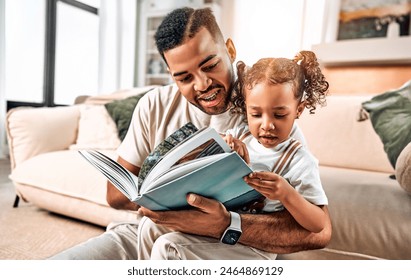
[337, 139]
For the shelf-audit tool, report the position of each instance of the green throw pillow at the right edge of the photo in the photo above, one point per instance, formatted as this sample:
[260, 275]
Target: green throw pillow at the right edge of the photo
[390, 115]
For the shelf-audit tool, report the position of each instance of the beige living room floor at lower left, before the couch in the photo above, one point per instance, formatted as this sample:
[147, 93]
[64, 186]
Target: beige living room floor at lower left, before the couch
[30, 233]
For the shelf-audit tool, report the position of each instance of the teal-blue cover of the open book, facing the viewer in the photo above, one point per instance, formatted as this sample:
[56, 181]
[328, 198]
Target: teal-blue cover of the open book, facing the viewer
[220, 178]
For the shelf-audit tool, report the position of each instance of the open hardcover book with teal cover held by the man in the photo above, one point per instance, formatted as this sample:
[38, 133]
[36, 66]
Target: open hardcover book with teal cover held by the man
[202, 163]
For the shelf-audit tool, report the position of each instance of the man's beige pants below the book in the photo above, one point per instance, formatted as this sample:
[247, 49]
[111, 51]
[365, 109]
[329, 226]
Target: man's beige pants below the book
[146, 240]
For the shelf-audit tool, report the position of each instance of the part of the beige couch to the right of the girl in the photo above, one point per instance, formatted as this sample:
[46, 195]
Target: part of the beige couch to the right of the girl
[370, 212]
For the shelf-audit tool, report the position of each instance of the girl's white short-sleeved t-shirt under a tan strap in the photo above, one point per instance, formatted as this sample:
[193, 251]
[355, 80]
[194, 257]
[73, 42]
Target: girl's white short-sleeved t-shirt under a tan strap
[302, 172]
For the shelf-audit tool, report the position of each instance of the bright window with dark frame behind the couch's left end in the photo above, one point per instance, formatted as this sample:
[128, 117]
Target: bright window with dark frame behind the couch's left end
[51, 51]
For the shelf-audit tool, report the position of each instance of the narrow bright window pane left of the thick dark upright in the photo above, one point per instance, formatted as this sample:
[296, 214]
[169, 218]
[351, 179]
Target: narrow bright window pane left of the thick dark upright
[24, 50]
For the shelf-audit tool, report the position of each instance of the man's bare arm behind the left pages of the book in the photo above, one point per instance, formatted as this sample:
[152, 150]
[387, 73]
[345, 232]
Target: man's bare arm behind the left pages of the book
[114, 197]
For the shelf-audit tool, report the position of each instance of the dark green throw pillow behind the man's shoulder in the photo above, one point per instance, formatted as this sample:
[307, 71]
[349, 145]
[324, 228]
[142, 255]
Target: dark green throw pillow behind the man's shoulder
[121, 112]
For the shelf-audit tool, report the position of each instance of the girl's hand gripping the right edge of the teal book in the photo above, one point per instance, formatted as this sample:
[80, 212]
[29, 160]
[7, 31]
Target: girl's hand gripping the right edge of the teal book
[269, 184]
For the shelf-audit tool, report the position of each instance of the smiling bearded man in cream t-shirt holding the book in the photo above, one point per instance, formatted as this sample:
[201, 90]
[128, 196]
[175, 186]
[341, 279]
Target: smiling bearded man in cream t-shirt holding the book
[200, 63]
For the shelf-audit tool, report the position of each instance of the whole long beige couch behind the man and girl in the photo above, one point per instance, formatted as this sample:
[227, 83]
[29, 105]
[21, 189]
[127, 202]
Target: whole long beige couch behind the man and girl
[370, 212]
